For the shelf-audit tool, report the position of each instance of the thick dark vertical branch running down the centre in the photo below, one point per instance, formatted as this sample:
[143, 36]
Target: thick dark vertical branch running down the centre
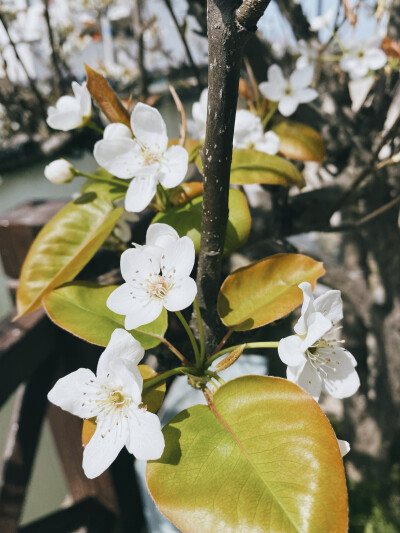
[226, 38]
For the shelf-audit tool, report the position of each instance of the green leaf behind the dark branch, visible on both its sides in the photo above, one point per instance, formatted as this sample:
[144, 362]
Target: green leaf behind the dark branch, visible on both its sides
[186, 220]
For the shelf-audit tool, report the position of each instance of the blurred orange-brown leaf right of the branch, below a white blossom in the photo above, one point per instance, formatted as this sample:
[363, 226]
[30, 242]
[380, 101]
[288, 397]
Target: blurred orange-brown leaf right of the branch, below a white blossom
[300, 142]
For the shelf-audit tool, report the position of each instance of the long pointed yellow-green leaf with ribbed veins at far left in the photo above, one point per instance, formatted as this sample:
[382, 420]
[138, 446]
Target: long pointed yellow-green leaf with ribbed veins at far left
[67, 243]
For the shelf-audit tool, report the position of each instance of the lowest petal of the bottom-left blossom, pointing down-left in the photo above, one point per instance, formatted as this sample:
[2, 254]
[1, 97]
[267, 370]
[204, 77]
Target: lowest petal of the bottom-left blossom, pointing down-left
[104, 446]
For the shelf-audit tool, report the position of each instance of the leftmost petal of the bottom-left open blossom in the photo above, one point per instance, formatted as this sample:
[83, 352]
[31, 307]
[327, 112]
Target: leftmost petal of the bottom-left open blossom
[68, 393]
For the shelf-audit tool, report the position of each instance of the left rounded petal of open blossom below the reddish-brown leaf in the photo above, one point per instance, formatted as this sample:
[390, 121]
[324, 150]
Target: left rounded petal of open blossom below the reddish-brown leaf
[122, 157]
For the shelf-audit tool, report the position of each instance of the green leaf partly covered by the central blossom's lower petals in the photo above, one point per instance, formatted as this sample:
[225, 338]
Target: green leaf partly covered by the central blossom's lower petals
[80, 308]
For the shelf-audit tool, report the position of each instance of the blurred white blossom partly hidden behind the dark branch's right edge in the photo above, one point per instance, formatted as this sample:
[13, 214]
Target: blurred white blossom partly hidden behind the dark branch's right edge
[249, 133]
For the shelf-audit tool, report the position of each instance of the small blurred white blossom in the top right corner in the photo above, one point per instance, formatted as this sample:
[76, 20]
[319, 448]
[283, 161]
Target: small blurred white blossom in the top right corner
[362, 56]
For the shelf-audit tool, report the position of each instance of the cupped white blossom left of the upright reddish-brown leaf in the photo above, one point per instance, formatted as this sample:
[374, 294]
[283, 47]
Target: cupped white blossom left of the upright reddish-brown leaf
[71, 112]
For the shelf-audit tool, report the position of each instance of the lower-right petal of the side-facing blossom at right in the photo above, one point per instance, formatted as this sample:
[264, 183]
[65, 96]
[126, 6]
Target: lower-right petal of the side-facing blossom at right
[341, 380]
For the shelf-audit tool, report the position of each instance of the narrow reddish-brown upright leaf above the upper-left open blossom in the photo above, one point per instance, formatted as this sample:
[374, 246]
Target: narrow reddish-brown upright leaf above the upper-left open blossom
[106, 98]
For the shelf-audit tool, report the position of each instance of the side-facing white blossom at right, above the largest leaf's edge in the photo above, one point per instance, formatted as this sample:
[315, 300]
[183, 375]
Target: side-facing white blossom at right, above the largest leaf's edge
[316, 360]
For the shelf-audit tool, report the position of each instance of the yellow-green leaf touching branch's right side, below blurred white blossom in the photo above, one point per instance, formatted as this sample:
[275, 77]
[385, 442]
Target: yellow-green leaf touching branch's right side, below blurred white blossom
[251, 166]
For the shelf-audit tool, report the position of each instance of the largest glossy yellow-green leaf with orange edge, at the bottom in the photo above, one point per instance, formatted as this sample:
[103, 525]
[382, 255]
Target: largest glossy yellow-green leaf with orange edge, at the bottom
[264, 459]
